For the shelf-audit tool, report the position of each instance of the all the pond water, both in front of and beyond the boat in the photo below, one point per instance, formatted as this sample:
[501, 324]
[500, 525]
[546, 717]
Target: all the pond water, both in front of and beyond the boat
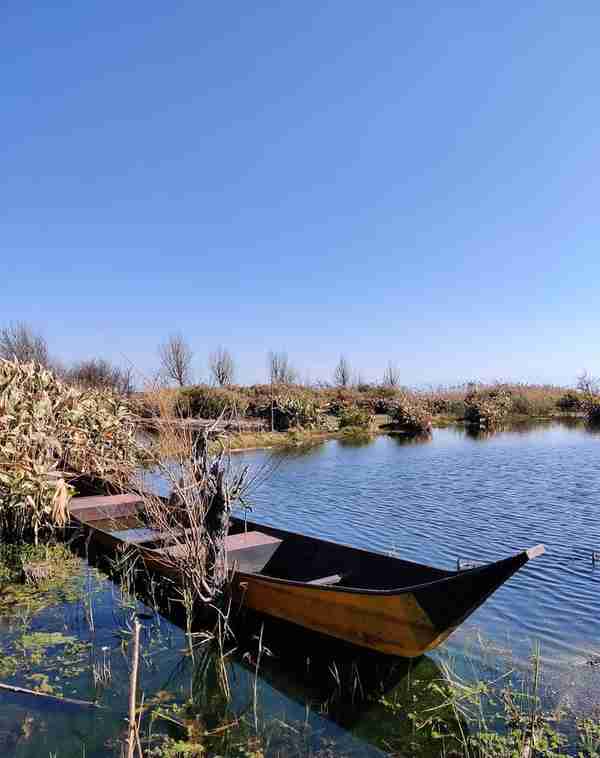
[454, 496]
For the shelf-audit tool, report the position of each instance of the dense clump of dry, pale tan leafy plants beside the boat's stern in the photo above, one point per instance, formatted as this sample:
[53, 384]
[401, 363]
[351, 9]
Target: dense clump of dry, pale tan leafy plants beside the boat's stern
[51, 435]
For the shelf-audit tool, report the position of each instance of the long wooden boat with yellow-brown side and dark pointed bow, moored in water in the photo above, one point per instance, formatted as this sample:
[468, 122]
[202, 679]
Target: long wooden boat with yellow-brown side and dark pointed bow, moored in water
[368, 599]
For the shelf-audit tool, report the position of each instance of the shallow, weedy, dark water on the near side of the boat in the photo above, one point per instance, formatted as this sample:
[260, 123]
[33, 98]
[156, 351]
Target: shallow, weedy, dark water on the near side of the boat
[54, 638]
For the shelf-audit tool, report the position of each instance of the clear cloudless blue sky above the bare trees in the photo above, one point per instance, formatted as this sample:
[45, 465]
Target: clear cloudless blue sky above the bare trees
[409, 181]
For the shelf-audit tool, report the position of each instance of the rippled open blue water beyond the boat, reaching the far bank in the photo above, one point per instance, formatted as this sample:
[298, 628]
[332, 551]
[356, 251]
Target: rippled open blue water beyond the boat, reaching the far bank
[468, 497]
